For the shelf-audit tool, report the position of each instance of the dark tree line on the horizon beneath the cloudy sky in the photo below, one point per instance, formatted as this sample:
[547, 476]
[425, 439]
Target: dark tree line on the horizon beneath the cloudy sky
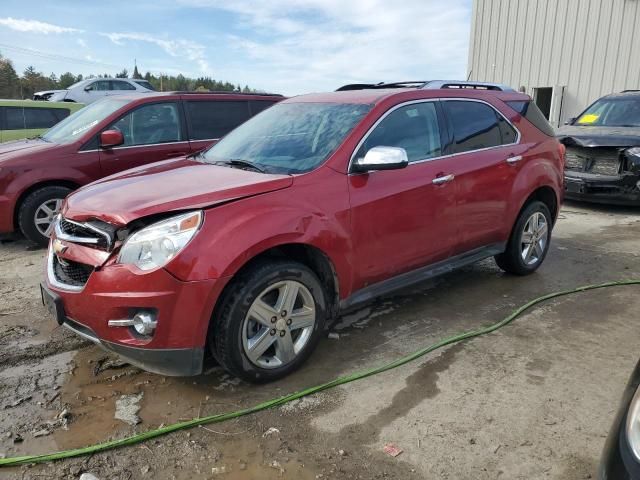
[23, 86]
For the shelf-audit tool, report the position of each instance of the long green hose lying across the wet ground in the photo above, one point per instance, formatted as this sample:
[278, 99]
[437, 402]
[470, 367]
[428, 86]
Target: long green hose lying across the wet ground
[141, 437]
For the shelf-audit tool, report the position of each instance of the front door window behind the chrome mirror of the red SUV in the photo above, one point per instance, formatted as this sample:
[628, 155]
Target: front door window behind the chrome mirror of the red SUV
[413, 127]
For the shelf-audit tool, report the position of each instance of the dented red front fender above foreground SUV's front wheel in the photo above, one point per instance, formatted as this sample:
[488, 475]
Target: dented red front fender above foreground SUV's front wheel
[233, 234]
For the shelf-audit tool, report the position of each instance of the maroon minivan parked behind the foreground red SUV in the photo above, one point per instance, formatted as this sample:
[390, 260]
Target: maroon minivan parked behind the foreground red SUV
[104, 138]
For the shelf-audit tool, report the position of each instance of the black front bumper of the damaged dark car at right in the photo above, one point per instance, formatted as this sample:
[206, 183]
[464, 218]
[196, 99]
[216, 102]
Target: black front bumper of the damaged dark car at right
[591, 187]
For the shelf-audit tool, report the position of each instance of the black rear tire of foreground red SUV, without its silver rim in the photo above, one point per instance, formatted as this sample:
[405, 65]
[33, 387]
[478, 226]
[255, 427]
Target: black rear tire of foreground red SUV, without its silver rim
[511, 260]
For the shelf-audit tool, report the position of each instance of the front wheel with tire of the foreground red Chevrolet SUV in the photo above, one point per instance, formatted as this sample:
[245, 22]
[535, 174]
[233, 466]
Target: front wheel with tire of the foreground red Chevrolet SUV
[269, 321]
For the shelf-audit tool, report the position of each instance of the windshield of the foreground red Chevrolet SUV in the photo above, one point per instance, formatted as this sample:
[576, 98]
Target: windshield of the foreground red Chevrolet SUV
[289, 137]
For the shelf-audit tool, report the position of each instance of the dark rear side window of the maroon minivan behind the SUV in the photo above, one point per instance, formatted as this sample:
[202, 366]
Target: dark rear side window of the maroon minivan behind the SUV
[210, 120]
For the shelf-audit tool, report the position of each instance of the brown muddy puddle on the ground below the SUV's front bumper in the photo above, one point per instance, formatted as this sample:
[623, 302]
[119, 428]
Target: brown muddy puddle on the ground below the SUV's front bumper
[233, 450]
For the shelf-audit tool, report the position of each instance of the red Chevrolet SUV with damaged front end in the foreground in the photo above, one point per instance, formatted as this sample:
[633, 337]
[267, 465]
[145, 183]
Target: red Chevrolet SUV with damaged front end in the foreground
[319, 203]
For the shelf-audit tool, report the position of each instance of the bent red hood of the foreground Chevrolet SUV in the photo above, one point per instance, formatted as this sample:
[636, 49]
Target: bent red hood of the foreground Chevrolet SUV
[172, 185]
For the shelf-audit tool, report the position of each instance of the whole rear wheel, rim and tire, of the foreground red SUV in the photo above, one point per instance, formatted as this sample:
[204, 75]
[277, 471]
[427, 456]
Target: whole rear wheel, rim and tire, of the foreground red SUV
[529, 242]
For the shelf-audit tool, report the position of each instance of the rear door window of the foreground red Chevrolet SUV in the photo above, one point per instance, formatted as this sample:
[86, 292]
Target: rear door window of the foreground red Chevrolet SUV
[476, 126]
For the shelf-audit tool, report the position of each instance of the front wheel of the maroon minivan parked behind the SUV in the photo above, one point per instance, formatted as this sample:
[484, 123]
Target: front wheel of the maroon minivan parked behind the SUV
[38, 211]
